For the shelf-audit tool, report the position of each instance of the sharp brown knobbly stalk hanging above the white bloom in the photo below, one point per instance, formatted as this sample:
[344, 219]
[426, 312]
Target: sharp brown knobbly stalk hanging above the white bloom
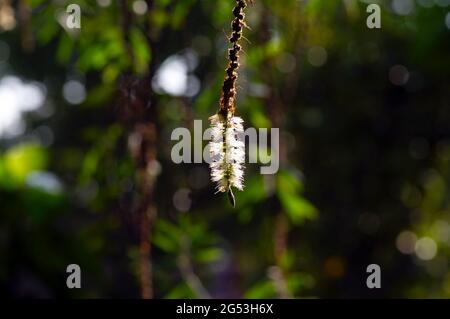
[227, 101]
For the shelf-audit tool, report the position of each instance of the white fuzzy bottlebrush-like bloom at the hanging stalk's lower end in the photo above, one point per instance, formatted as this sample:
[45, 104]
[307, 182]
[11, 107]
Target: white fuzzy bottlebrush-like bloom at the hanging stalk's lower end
[227, 151]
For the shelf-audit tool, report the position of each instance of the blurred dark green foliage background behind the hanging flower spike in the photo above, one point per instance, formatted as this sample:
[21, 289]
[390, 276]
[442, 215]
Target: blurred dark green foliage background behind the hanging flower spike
[364, 178]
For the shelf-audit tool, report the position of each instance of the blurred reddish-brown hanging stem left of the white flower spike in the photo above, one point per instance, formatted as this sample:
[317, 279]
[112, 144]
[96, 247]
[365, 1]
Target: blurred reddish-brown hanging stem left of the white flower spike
[140, 106]
